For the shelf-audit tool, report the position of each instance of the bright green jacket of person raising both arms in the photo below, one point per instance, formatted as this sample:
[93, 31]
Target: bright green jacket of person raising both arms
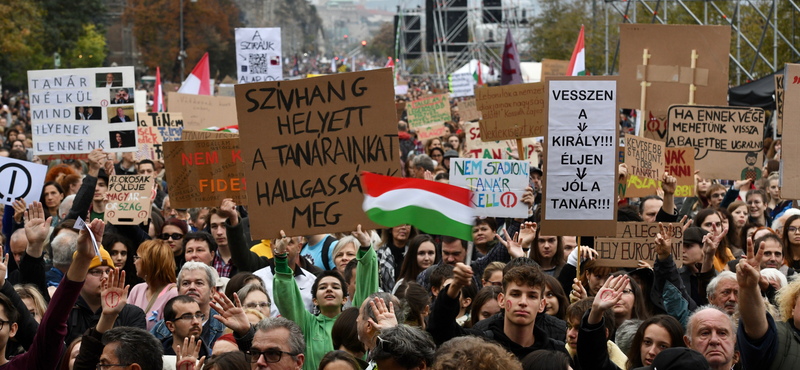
[317, 329]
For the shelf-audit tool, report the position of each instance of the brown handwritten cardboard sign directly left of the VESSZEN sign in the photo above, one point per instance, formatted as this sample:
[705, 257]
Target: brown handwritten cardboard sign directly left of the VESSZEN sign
[512, 111]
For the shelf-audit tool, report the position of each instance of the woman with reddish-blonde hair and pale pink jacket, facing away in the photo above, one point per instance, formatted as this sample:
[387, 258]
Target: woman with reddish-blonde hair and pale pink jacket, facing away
[155, 264]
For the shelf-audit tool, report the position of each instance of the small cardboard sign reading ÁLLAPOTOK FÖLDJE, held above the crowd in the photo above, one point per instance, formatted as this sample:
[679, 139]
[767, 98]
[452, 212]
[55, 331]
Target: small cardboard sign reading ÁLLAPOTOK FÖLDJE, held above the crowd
[128, 199]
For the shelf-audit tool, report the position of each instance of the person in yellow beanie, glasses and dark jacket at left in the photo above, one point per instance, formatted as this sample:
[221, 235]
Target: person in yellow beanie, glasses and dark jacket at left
[87, 310]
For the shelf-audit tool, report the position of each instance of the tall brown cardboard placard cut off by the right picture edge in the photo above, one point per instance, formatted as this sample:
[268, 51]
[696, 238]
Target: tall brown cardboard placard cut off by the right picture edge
[790, 144]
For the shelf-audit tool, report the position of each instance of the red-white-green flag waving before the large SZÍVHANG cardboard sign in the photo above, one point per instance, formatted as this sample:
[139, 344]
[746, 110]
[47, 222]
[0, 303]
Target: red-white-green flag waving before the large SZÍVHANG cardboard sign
[433, 207]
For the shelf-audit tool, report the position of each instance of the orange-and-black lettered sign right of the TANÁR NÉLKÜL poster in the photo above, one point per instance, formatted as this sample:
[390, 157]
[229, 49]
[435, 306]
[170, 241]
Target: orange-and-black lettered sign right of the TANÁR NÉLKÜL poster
[153, 130]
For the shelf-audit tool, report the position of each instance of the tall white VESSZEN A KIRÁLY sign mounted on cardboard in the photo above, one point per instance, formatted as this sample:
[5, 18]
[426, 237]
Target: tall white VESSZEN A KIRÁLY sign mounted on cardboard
[580, 179]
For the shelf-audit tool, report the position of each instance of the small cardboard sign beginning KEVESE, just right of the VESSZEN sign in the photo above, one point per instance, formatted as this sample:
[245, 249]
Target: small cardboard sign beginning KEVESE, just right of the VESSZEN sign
[645, 161]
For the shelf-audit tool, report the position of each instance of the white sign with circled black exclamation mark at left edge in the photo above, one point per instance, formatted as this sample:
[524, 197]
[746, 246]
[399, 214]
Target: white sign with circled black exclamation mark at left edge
[20, 179]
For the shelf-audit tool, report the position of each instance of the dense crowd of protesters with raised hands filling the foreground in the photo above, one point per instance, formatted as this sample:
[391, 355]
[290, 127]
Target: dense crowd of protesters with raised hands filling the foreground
[190, 289]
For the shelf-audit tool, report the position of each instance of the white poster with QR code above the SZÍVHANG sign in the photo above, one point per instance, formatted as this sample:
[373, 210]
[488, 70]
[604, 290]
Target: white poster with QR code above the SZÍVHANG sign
[258, 54]
